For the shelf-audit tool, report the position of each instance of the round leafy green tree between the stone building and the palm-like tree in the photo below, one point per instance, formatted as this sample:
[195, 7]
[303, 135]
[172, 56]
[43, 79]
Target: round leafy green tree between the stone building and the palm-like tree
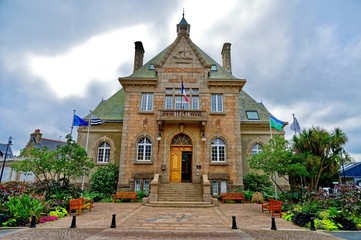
[277, 158]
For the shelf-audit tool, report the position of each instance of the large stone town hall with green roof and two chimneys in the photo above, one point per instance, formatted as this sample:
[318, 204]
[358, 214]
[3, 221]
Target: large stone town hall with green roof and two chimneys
[182, 118]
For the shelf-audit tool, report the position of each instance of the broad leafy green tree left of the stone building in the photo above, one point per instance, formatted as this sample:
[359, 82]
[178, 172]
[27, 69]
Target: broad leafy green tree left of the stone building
[62, 165]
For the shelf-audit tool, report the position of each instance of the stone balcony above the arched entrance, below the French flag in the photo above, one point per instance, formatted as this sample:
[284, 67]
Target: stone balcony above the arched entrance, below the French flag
[179, 115]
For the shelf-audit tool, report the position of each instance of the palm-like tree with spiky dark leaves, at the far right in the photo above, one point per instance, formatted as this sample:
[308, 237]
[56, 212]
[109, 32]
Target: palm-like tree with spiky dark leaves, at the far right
[320, 150]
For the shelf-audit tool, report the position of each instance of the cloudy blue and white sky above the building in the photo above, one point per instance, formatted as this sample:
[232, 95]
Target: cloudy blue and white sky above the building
[301, 57]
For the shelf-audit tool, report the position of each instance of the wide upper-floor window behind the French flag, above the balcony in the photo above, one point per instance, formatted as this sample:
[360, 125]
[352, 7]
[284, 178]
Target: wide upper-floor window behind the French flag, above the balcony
[175, 100]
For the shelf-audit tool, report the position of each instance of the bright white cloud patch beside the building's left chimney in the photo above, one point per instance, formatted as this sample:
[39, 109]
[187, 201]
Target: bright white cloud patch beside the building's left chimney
[97, 59]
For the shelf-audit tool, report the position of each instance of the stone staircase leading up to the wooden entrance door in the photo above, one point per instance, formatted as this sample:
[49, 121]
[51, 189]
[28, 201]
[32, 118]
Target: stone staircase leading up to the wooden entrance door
[180, 195]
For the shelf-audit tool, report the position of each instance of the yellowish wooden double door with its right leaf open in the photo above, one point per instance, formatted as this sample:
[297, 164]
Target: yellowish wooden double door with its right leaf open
[180, 164]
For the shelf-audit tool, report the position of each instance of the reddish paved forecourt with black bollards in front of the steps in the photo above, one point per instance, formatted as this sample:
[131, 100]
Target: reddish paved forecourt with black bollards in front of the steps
[134, 221]
